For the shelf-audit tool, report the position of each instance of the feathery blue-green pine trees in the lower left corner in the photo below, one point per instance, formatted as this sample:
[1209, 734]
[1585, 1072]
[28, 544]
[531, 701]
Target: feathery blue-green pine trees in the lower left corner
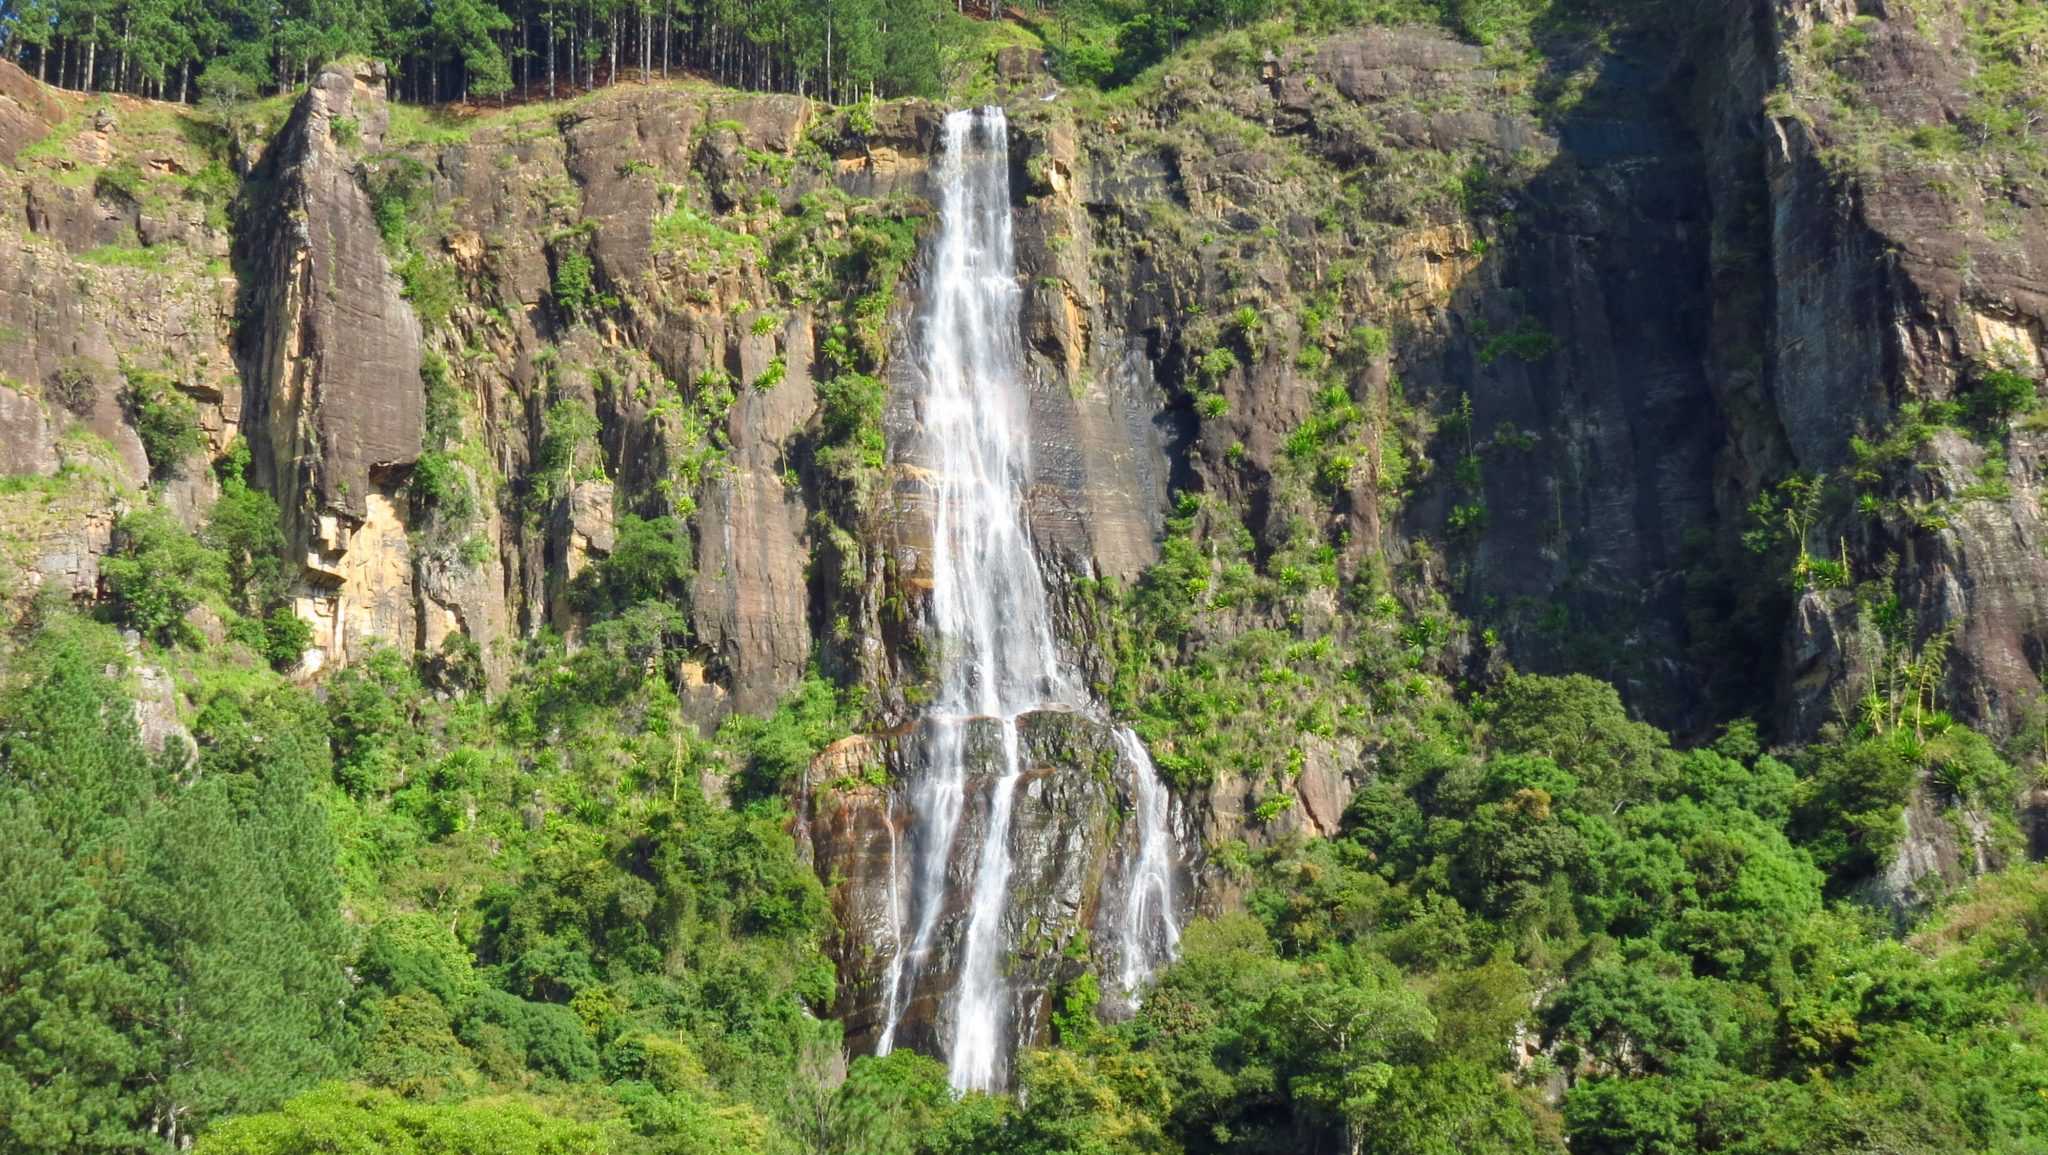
[194, 968]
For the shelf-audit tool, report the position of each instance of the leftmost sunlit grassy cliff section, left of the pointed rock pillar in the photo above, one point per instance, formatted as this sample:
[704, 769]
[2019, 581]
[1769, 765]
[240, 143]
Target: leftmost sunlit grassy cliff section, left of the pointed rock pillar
[112, 284]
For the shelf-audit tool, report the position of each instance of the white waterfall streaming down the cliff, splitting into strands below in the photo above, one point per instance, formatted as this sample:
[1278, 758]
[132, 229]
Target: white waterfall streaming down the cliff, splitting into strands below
[998, 656]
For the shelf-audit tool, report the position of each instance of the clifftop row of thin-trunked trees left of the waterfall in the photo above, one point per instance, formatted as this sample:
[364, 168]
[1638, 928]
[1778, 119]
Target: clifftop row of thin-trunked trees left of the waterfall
[232, 50]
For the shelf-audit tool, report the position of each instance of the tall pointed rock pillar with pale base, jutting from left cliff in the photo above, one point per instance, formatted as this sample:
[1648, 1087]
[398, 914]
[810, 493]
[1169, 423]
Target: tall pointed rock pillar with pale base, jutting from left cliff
[333, 370]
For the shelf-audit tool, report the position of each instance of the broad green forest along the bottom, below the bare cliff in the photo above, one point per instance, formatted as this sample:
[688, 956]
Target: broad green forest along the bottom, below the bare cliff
[556, 941]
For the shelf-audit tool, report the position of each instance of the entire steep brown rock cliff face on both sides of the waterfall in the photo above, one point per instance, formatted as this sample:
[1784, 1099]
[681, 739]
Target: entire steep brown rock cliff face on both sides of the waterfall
[1375, 347]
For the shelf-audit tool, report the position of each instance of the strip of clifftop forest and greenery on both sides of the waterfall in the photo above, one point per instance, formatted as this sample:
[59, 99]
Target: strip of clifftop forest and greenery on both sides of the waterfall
[462, 50]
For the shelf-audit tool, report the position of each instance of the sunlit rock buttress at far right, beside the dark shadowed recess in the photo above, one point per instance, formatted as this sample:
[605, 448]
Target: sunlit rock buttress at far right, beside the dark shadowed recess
[1906, 275]
